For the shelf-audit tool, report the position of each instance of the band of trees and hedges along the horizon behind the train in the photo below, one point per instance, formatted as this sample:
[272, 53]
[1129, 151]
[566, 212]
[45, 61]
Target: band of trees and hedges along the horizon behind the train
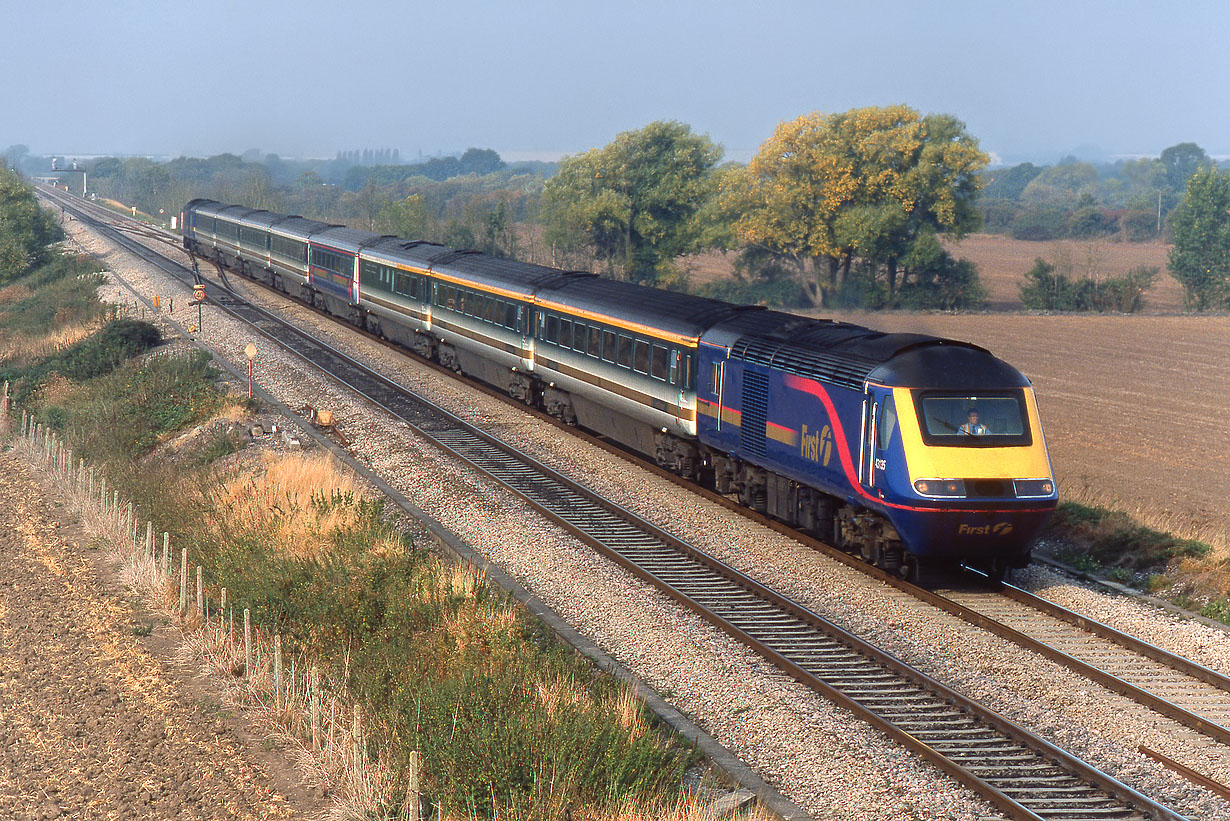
[836, 210]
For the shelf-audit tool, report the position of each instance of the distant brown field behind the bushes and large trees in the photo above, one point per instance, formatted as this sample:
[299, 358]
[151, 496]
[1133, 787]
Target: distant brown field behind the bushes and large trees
[1003, 262]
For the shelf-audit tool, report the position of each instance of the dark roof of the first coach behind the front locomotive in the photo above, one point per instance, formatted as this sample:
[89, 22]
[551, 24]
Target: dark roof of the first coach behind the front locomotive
[667, 312]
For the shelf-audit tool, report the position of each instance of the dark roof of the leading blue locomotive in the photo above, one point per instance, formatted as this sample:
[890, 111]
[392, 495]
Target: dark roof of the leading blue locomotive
[849, 355]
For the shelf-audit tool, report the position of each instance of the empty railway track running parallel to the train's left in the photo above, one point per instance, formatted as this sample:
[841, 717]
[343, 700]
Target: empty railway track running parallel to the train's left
[1017, 771]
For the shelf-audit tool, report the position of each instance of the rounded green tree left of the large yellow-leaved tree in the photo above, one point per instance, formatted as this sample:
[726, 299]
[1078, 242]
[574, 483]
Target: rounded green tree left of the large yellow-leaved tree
[634, 202]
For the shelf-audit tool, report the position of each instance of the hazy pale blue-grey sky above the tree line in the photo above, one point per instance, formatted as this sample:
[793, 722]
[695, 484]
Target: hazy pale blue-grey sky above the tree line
[307, 78]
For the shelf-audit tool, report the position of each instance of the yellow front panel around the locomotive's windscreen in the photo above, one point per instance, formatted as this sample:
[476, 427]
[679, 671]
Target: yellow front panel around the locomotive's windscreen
[933, 462]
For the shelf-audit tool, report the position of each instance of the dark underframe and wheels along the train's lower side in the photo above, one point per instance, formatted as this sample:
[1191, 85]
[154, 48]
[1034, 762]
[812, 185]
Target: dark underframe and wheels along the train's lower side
[859, 531]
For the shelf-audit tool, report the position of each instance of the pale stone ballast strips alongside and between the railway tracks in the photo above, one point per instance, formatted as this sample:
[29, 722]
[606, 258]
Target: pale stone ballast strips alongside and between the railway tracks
[816, 754]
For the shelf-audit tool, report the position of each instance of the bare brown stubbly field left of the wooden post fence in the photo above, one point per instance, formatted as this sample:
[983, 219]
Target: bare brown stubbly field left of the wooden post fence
[94, 721]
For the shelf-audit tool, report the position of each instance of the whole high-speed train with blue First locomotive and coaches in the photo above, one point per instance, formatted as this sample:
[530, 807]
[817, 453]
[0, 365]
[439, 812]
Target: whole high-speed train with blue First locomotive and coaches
[906, 449]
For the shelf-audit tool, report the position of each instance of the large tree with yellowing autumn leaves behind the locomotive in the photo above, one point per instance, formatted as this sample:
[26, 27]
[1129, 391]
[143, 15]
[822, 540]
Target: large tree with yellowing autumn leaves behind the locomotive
[870, 184]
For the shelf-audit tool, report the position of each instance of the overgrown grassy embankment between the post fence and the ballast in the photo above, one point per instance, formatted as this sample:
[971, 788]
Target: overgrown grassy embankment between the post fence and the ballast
[510, 724]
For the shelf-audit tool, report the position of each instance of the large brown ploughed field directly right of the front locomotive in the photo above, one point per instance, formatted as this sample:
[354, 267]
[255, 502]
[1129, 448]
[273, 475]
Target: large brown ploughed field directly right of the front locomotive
[1136, 409]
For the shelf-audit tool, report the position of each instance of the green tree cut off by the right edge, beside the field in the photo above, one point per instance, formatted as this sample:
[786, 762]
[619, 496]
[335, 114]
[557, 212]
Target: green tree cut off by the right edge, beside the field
[1201, 257]
